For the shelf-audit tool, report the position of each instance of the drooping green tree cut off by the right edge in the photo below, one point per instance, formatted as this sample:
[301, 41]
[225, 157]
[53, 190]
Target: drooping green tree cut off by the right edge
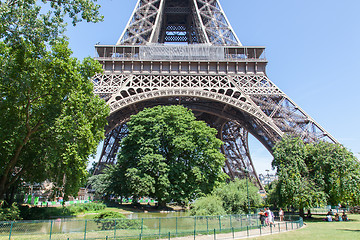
[336, 171]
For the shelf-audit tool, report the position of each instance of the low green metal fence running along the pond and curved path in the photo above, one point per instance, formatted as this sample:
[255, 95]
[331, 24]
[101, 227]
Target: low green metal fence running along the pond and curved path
[218, 227]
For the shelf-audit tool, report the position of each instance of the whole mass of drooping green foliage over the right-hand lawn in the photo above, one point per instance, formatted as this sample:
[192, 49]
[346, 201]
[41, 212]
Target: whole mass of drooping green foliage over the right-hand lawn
[314, 174]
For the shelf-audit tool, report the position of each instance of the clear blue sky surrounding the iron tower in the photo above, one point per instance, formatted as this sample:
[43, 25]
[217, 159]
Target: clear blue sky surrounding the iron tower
[313, 49]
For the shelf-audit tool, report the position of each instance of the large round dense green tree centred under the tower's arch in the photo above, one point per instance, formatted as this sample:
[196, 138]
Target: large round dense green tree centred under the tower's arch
[168, 155]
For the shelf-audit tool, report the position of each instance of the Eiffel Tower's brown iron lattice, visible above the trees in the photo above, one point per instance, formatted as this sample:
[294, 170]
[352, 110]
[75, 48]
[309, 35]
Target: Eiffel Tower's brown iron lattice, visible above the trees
[186, 52]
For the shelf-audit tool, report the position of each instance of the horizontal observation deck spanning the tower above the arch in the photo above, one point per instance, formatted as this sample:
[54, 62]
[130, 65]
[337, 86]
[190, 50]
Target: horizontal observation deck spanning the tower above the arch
[181, 59]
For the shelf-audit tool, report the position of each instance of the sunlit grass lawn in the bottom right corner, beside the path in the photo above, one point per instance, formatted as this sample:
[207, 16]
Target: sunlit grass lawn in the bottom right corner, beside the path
[318, 229]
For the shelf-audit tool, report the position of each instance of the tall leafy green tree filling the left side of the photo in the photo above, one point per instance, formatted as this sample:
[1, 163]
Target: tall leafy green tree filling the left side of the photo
[50, 120]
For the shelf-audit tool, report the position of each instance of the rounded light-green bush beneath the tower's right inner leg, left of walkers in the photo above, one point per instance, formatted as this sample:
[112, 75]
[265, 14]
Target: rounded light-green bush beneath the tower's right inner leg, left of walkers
[234, 196]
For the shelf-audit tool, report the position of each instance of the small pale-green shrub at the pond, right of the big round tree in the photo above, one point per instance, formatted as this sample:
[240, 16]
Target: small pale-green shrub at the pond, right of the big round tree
[207, 206]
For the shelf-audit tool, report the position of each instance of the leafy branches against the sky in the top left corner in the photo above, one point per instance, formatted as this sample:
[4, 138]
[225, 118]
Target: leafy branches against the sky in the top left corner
[36, 22]
